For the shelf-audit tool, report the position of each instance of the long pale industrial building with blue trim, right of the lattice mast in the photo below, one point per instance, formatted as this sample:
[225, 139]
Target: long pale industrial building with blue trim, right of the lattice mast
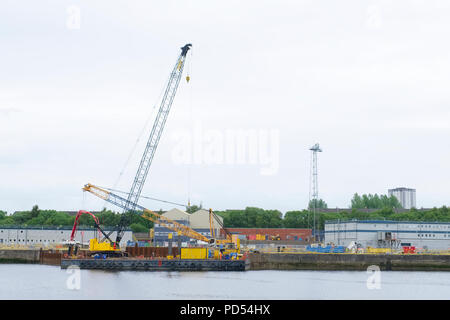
[389, 234]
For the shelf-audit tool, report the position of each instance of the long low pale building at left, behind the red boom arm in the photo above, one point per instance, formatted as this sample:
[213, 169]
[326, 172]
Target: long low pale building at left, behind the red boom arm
[45, 236]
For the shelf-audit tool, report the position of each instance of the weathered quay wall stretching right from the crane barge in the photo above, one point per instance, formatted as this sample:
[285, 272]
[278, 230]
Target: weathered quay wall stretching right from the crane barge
[306, 261]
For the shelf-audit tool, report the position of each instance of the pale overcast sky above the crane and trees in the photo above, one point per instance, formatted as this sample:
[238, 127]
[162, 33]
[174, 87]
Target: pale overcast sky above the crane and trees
[368, 80]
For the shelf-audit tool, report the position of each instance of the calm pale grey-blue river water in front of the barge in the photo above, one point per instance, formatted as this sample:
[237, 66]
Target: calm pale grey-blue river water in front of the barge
[49, 282]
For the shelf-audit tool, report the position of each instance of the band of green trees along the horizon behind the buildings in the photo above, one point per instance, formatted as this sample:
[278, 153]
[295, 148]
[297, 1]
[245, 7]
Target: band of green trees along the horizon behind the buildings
[250, 217]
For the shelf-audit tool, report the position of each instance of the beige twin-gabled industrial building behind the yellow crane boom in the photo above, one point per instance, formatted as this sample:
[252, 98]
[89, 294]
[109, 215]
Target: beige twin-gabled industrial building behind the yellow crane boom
[199, 221]
